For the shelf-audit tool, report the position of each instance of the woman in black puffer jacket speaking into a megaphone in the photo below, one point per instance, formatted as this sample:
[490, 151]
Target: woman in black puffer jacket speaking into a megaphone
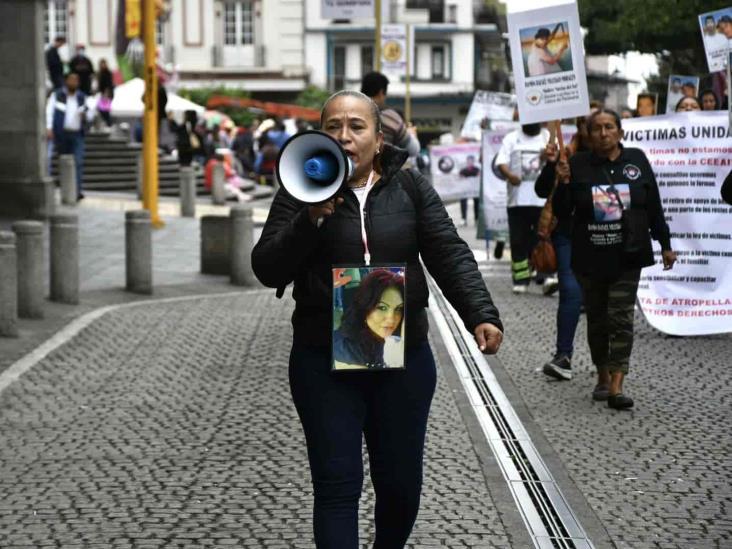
[379, 214]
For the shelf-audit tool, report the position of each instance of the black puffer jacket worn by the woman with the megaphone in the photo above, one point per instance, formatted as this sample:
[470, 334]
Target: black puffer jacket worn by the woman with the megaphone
[399, 229]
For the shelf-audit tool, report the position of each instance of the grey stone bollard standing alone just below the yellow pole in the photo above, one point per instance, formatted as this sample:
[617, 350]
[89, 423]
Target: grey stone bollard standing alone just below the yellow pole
[138, 252]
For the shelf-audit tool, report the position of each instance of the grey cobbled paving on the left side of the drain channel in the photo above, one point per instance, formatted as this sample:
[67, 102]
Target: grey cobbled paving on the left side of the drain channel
[168, 423]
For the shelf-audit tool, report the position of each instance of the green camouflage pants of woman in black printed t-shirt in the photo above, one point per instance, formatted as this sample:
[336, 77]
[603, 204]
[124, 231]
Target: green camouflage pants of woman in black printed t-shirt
[609, 307]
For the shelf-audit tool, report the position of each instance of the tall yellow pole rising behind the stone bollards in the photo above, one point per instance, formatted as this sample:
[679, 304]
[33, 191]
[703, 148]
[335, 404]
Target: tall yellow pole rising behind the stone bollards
[150, 119]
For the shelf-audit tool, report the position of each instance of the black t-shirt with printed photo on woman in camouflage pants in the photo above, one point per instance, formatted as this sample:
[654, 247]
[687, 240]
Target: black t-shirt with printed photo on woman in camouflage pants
[594, 200]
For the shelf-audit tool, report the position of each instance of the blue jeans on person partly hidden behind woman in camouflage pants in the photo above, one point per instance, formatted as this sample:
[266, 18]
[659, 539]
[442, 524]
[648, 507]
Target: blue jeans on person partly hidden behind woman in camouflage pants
[570, 295]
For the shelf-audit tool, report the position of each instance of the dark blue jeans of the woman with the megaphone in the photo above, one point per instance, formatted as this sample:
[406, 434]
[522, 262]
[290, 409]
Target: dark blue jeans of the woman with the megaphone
[336, 410]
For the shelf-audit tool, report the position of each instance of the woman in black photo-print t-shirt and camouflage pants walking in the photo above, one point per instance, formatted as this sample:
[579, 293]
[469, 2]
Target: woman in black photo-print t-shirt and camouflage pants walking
[612, 197]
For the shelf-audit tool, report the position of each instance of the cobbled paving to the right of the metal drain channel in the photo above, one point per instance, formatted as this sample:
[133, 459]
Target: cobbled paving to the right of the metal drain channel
[659, 476]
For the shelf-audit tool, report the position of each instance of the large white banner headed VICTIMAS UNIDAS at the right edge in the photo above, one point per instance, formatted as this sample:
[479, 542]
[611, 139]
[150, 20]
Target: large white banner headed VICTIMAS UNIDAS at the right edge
[691, 154]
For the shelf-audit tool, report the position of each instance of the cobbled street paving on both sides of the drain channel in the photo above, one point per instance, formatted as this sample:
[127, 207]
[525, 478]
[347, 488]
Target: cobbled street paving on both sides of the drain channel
[169, 424]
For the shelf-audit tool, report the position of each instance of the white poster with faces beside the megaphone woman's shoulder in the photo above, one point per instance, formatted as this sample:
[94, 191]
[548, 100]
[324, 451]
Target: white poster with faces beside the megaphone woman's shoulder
[455, 170]
